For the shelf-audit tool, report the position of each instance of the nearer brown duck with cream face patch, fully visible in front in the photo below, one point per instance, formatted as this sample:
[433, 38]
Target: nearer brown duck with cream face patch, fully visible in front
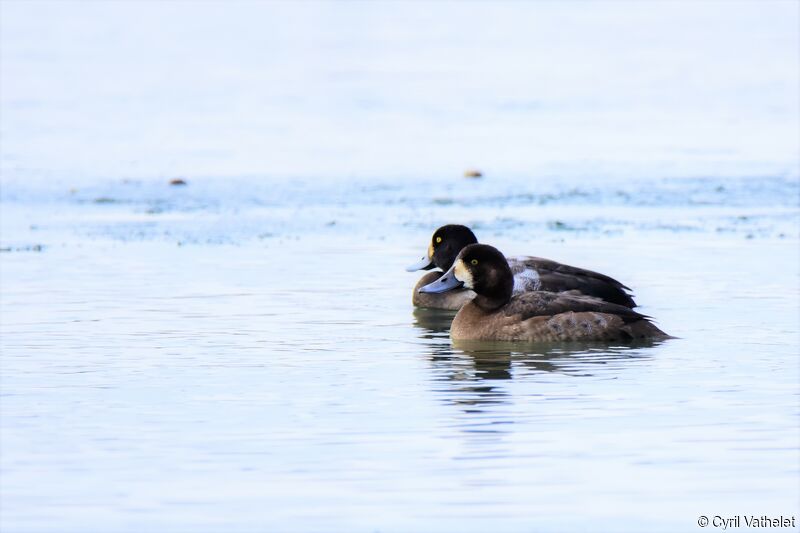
[497, 314]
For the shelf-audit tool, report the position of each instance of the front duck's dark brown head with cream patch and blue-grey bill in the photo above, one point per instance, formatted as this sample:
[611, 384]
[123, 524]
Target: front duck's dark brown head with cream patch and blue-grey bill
[481, 268]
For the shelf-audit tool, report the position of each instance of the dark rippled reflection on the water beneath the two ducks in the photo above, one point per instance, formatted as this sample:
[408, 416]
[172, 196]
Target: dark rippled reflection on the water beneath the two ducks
[474, 376]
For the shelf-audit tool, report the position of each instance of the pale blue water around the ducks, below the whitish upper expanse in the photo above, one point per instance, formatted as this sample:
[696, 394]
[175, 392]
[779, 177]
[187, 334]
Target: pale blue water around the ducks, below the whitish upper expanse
[201, 358]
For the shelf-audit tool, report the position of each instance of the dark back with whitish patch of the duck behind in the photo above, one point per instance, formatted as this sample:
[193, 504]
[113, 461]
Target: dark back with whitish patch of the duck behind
[539, 274]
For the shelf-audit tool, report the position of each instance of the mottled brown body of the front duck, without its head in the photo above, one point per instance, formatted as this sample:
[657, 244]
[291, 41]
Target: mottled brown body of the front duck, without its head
[544, 316]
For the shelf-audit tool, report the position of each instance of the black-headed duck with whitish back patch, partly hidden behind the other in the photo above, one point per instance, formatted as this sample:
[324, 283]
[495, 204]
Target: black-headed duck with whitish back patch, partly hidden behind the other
[529, 274]
